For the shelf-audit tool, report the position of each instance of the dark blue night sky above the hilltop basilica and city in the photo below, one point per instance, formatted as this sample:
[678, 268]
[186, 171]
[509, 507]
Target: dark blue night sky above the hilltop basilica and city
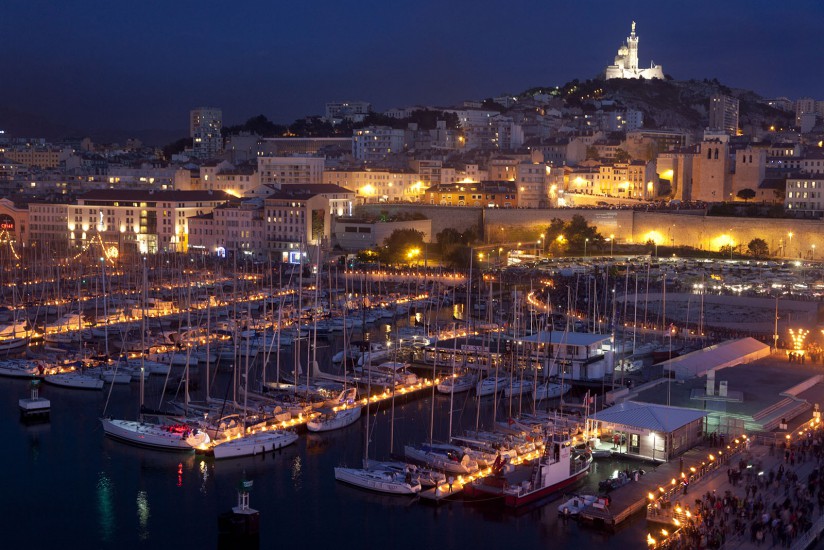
[144, 64]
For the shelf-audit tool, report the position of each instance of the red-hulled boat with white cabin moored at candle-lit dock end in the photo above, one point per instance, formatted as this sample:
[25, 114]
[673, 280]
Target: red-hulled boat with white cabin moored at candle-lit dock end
[559, 466]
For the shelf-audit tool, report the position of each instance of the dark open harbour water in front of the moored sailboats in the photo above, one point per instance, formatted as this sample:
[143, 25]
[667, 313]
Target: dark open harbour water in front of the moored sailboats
[65, 485]
